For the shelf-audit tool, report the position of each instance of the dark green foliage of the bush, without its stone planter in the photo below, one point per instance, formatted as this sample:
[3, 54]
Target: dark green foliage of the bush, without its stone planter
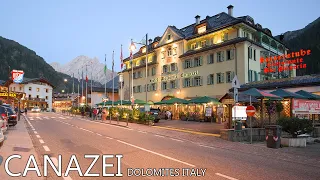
[295, 126]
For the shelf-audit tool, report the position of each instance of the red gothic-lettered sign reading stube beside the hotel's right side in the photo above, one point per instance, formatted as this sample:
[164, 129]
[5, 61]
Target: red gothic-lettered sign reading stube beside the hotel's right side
[285, 62]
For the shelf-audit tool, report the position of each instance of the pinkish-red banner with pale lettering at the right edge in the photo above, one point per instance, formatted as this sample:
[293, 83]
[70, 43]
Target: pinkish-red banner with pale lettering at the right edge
[302, 106]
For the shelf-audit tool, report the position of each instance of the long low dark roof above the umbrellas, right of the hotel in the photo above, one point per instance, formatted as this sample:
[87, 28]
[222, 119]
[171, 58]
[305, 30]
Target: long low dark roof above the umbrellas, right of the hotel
[299, 81]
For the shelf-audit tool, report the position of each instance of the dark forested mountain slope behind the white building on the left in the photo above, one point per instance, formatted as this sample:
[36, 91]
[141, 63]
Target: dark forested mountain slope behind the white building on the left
[20, 57]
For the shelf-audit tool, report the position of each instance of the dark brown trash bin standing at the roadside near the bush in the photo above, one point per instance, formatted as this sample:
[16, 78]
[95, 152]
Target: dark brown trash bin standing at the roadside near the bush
[273, 136]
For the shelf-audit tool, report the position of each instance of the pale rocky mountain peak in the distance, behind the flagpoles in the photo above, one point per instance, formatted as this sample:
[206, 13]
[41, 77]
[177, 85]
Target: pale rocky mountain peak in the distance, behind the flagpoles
[79, 64]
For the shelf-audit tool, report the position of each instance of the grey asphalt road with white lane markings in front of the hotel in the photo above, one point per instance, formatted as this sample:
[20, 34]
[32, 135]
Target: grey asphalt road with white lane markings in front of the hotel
[55, 134]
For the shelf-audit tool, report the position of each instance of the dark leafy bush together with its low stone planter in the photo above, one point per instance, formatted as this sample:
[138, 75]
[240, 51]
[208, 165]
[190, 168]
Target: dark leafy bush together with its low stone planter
[295, 126]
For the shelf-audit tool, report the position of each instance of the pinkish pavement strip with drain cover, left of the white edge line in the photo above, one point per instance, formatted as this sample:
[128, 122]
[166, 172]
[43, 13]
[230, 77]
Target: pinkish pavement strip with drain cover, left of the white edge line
[18, 142]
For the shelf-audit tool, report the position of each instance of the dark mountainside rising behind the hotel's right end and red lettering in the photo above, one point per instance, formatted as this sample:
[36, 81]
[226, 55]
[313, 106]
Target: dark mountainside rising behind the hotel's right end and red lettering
[306, 38]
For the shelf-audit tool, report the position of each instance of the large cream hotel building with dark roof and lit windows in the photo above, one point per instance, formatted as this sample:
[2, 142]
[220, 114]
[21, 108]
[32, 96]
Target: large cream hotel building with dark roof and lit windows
[201, 59]
